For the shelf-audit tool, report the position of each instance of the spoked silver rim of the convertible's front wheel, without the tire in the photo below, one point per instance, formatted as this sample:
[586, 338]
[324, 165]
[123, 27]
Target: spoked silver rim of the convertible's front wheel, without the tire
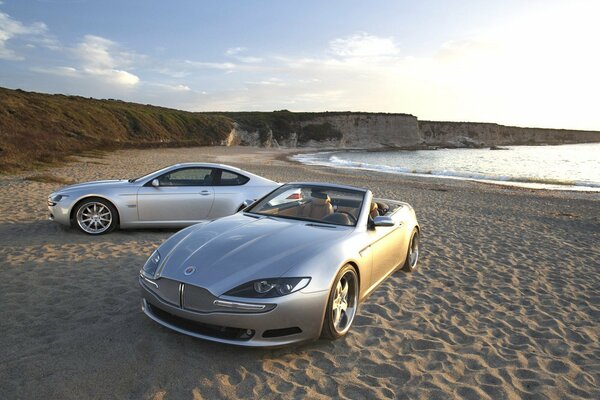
[344, 302]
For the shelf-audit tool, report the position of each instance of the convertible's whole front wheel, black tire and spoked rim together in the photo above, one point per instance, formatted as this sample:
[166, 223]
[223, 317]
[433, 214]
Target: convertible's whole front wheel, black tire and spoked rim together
[339, 313]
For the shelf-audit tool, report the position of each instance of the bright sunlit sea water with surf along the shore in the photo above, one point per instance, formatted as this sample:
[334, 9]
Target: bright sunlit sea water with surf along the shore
[564, 167]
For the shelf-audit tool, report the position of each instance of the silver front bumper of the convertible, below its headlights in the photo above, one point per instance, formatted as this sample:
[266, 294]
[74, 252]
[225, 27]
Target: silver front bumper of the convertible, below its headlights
[295, 318]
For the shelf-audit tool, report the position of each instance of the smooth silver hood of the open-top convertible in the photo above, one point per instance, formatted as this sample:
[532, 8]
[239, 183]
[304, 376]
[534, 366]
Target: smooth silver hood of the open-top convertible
[234, 250]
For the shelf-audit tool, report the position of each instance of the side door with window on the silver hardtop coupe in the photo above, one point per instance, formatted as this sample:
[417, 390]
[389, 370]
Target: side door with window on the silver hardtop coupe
[182, 195]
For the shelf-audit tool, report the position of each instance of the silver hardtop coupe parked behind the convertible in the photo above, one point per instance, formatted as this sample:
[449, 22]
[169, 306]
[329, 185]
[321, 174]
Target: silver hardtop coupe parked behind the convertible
[176, 196]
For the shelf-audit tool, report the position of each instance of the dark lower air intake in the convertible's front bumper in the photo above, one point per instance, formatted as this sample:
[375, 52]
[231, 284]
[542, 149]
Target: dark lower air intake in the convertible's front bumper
[222, 332]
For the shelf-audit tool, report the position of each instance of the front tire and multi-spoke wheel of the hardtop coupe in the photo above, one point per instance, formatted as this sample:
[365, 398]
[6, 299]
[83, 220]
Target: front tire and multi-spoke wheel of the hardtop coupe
[95, 216]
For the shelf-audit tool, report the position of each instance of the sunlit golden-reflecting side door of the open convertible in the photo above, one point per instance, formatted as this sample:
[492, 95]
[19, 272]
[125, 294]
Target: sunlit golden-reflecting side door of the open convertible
[386, 247]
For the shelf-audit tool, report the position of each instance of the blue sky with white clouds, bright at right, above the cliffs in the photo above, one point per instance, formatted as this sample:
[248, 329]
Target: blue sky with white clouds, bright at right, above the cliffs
[524, 63]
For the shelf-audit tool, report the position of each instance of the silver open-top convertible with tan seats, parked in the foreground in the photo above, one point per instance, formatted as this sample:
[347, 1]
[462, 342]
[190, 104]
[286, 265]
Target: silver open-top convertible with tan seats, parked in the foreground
[291, 267]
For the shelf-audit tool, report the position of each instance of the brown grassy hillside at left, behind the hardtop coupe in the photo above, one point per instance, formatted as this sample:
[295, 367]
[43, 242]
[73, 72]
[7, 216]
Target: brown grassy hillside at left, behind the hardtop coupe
[40, 128]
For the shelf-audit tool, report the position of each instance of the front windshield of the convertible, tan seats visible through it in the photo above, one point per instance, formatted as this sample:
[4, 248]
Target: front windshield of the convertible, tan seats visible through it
[323, 204]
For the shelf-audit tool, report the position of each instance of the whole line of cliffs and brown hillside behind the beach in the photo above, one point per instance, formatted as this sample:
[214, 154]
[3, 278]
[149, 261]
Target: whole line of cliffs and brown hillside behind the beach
[41, 128]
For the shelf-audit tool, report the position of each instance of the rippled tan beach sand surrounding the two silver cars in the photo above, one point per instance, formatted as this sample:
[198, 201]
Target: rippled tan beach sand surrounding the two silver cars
[505, 303]
